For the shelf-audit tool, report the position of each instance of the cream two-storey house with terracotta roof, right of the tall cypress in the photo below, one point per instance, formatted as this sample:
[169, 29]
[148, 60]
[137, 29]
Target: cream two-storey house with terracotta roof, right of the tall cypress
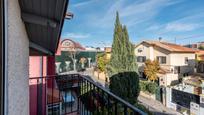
[175, 60]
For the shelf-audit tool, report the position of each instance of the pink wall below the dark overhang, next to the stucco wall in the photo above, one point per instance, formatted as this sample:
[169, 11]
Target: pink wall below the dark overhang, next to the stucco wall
[37, 68]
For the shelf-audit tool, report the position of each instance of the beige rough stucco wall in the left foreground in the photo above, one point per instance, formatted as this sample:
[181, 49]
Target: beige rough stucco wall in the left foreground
[18, 55]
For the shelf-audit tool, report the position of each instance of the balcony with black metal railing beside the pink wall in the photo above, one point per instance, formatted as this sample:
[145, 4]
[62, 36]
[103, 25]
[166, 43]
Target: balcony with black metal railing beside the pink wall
[75, 94]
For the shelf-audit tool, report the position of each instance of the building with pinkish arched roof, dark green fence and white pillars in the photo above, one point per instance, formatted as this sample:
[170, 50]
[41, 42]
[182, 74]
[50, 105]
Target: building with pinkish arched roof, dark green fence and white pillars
[68, 49]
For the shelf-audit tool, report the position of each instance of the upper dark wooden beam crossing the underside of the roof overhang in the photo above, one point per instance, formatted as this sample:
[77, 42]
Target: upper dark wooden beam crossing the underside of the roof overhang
[34, 19]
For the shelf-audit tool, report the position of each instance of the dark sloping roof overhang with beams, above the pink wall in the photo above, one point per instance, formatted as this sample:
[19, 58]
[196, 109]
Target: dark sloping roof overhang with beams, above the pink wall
[43, 21]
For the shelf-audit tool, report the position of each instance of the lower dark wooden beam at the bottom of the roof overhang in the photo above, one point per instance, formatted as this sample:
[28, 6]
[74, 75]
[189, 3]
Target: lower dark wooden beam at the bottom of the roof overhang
[40, 48]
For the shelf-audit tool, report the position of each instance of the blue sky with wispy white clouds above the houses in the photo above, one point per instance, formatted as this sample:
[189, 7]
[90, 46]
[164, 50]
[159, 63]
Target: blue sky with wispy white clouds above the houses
[176, 21]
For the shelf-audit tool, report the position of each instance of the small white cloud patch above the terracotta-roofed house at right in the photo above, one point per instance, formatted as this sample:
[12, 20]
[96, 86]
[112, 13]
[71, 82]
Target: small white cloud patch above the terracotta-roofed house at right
[179, 27]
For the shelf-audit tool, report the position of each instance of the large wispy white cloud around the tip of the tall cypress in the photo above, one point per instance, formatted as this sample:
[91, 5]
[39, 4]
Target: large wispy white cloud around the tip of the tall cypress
[135, 12]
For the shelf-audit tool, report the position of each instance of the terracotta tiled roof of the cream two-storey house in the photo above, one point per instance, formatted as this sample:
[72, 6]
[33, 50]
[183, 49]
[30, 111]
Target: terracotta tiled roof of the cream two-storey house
[170, 47]
